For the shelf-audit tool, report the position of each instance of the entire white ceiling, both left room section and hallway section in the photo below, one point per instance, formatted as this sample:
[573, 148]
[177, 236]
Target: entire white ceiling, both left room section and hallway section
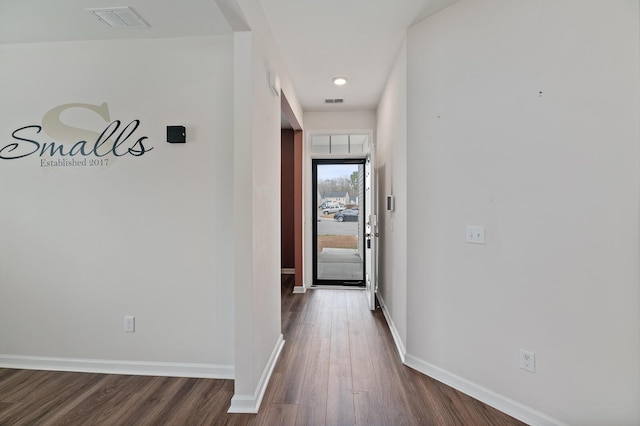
[318, 39]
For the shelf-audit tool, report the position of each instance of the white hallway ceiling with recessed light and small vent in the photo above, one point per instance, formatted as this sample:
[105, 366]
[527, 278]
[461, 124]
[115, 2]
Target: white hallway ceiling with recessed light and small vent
[358, 39]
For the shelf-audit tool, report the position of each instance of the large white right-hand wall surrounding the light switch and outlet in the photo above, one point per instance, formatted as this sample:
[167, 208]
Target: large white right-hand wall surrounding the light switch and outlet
[523, 117]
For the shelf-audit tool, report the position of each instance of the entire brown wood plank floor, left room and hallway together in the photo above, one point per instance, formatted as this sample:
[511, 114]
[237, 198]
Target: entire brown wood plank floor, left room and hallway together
[338, 367]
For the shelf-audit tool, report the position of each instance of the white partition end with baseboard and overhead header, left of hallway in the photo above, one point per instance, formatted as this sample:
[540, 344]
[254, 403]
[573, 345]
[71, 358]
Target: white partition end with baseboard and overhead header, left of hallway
[257, 222]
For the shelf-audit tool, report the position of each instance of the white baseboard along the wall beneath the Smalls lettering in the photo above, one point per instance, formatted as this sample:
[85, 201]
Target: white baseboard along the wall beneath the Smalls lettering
[138, 368]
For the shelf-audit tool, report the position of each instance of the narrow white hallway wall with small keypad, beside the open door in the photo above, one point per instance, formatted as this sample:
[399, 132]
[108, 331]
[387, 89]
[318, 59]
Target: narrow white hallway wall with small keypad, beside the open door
[391, 168]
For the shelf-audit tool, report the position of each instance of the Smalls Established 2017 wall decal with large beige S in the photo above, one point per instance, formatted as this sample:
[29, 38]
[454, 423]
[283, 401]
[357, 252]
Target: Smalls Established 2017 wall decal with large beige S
[73, 146]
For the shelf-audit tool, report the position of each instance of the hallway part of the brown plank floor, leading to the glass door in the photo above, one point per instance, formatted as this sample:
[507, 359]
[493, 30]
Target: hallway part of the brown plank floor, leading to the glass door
[339, 366]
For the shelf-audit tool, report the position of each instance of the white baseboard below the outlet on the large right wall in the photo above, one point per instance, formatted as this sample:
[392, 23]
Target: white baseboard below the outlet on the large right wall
[519, 411]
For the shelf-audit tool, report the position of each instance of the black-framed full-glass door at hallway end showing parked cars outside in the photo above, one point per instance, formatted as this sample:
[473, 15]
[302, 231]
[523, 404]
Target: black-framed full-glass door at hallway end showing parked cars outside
[338, 198]
